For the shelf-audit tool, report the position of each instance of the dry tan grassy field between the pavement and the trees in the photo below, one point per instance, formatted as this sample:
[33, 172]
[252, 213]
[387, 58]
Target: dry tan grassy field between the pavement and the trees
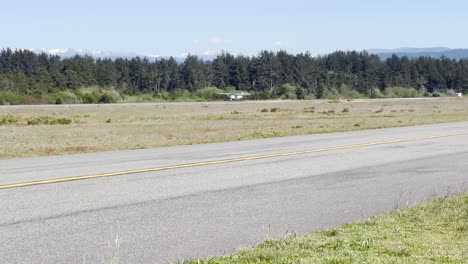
[59, 129]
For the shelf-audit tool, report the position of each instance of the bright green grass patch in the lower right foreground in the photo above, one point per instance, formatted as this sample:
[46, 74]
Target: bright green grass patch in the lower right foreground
[435, 232]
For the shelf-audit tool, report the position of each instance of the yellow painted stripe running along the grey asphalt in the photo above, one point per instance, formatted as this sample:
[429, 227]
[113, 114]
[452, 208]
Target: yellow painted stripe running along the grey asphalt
[189, 165]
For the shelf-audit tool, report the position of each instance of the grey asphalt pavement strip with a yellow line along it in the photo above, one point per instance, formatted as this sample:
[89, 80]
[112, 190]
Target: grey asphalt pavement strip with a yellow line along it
[168, 204]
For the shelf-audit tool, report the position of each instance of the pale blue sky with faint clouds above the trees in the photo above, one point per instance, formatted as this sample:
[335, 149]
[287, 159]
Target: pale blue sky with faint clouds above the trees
[171, 28]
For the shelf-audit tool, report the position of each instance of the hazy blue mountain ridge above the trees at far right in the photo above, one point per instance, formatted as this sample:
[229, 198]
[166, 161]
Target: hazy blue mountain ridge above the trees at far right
[435, 52]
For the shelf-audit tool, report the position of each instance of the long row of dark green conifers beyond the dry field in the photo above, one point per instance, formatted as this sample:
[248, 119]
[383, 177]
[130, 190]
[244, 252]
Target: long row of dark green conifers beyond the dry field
[266, 75]
